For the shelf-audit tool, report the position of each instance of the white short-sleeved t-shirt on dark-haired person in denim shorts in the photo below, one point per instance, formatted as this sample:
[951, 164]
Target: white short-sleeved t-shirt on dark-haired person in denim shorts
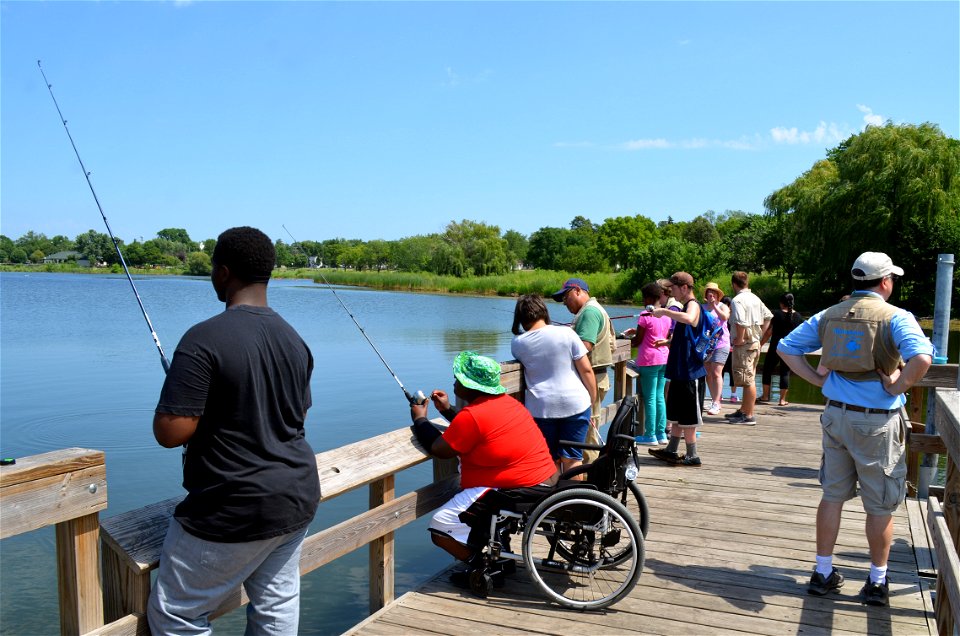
[554, 388]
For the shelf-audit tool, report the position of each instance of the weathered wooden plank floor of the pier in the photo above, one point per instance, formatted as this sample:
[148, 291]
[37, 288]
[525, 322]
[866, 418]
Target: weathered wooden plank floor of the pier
[730, 549]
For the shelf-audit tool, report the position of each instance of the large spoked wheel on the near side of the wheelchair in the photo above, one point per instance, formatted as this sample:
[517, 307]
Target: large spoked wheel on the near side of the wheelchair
[583, 549]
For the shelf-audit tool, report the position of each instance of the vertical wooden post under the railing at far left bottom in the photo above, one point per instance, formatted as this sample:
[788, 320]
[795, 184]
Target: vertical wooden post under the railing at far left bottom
[78, 566]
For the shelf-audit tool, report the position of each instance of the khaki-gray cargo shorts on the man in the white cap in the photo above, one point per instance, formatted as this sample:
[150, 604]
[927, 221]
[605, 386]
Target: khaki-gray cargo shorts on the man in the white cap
[867, 448]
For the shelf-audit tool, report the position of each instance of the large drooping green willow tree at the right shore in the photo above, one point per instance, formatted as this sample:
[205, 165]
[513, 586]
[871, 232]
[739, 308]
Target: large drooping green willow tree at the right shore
[891, 188]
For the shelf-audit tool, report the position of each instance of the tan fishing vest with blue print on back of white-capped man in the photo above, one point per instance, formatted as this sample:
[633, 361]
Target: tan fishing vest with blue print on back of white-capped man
[857, 340]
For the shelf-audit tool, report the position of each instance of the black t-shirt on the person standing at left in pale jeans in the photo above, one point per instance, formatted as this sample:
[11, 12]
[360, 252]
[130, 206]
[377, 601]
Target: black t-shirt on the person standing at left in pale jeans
[249, 471]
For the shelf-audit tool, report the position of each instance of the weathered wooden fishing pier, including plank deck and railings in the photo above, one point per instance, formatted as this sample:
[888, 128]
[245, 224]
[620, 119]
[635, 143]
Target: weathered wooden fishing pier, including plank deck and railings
[729, 550]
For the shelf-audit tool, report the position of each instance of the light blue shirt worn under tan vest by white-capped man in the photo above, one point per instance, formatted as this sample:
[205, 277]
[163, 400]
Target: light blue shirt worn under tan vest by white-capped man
[907, 335]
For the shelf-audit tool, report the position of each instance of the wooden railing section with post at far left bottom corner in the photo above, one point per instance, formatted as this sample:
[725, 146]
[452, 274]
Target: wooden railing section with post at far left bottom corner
[65, 488]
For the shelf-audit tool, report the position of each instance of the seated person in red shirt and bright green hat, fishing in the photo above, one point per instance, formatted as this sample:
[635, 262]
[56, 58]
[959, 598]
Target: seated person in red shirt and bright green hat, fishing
[497, 441]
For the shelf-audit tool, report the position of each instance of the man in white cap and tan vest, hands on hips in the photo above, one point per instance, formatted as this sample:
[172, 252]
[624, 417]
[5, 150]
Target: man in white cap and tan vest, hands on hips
[865, 343]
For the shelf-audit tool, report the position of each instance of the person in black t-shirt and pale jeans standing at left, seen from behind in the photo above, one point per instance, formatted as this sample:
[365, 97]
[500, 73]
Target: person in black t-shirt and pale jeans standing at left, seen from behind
[237, 395]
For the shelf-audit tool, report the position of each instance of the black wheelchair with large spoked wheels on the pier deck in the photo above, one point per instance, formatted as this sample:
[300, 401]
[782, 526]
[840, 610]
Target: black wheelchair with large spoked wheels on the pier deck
[580, 543]
